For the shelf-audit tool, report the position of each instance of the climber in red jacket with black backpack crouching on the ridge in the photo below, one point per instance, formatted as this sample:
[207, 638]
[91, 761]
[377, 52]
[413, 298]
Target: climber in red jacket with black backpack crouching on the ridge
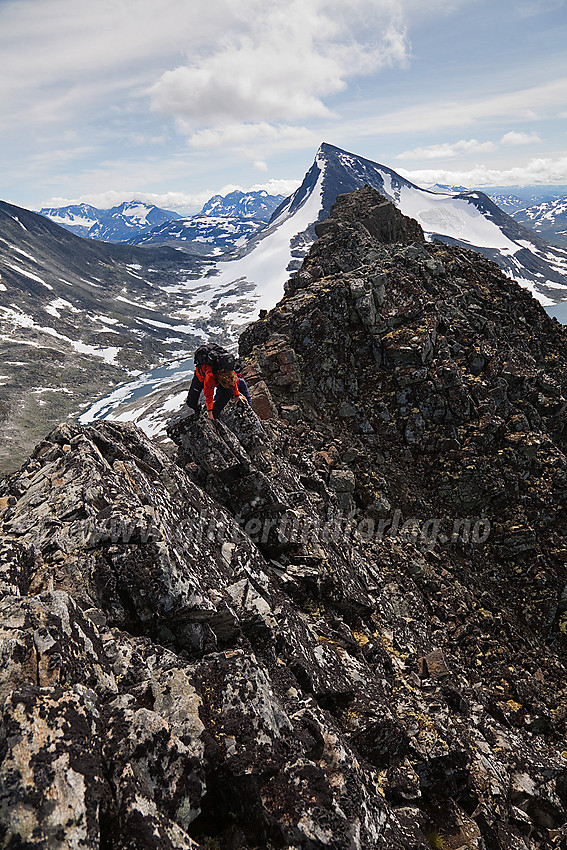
[215, 374]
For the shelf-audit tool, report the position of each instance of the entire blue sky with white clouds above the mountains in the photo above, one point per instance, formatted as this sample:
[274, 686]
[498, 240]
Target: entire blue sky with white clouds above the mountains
[172, 101]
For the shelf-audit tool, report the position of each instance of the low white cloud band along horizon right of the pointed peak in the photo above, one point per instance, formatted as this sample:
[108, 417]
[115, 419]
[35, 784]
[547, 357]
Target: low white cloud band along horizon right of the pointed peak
[536, 171]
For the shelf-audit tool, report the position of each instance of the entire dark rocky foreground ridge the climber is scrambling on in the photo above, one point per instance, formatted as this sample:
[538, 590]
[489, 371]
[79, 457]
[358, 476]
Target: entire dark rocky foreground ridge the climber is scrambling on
[339, 623]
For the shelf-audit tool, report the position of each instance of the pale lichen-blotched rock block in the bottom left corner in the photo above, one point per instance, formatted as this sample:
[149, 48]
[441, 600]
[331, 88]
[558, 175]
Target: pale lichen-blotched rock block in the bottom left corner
[52, 770]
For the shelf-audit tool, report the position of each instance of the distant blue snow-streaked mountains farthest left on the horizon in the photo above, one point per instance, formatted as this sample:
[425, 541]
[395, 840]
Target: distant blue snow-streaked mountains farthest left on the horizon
[118, 224]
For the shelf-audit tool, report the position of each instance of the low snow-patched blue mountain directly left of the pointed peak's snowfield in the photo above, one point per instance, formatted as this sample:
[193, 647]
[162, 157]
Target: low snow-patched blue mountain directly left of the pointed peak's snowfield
[207, 235]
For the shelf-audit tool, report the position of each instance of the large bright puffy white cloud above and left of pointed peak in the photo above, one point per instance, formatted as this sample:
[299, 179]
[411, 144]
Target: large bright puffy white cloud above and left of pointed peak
[293, 54]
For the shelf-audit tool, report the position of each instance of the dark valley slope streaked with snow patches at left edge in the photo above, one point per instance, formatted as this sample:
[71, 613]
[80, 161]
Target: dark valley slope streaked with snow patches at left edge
[79, 316]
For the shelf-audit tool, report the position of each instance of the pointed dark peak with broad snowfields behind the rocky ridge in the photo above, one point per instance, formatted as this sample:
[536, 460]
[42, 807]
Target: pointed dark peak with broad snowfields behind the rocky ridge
[469, 219]
